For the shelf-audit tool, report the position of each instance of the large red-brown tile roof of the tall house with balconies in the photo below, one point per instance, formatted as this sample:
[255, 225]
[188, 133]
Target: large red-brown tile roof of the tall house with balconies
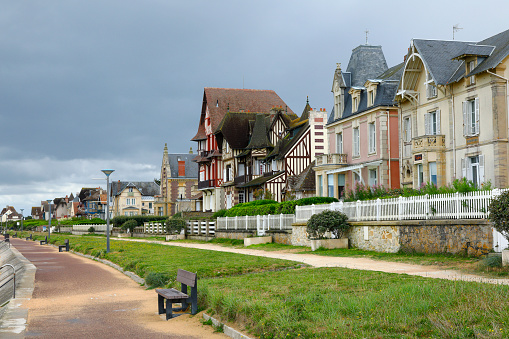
[221, 100]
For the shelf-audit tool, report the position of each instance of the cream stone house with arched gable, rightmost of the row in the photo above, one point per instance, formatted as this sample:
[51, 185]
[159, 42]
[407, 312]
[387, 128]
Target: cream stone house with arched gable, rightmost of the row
[453, 99]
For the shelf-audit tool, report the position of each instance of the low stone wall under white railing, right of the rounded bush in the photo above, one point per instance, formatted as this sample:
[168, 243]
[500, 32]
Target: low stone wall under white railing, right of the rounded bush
[471, 237]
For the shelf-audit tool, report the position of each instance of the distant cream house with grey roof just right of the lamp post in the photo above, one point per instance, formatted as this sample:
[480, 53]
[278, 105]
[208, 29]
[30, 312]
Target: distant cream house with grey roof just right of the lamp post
[133, 198]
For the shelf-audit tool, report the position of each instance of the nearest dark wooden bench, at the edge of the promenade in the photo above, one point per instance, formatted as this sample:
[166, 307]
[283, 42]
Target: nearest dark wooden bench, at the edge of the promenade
[174, 296]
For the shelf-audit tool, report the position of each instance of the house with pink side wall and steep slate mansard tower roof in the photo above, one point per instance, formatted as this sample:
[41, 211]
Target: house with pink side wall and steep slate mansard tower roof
[362, 129]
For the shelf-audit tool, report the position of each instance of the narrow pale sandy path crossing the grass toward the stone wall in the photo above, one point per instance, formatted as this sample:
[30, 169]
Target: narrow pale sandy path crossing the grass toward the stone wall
[346, 262]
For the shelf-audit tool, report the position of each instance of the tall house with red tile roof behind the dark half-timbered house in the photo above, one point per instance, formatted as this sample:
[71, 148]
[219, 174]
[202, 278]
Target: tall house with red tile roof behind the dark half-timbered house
[217, 102]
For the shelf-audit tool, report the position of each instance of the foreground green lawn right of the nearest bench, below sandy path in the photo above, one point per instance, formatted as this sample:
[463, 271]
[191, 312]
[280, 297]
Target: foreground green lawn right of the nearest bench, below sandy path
[342, 303]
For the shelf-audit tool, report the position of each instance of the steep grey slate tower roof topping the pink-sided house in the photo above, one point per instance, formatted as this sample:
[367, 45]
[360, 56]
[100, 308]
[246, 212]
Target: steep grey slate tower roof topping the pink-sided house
[365, 63]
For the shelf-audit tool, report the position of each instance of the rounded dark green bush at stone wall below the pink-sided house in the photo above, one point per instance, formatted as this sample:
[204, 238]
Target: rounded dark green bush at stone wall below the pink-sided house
[334, 222]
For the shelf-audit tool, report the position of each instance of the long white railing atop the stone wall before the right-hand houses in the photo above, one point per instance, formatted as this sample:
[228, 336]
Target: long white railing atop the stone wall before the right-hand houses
[472, 205]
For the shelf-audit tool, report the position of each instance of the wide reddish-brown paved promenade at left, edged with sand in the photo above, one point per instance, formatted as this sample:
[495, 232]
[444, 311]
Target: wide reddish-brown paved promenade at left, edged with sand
[81, 298]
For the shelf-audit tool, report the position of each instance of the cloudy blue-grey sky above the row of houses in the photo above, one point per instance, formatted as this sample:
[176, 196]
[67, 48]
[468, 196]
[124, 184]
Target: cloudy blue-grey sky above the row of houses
[96, 84]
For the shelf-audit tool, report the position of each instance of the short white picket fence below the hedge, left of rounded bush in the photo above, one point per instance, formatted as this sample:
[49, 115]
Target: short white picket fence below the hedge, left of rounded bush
[260, 223]
